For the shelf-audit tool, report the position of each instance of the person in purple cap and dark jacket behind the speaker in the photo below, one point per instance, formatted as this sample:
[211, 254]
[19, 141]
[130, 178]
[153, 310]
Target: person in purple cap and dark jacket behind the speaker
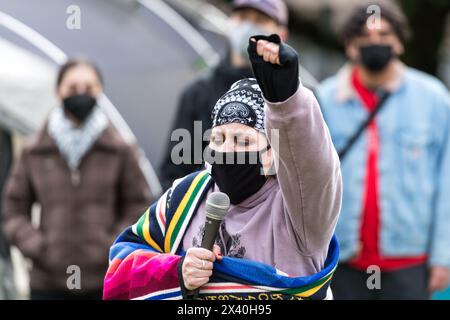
[197, 101]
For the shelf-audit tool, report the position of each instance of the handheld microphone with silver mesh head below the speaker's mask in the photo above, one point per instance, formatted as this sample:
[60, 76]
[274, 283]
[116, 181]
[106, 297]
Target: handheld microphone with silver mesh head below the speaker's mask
[217, 206]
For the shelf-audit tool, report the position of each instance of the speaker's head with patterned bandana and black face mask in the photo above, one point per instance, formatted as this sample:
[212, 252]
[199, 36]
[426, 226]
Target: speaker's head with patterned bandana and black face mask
[238, 173]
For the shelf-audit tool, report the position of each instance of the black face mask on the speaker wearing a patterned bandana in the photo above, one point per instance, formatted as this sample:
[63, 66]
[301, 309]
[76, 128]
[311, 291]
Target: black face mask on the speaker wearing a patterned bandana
[238, 174]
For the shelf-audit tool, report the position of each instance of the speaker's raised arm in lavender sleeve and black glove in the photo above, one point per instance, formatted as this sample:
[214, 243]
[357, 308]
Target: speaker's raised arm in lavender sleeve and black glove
[306, 163]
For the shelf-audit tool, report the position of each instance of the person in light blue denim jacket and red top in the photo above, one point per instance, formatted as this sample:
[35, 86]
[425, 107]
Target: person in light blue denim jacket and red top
[396, 174]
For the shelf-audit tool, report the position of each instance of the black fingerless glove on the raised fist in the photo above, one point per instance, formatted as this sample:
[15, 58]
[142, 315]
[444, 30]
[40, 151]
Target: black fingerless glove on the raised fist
[277, 82]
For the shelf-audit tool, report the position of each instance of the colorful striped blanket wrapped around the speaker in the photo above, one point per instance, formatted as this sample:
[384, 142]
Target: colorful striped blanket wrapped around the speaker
[145, 258]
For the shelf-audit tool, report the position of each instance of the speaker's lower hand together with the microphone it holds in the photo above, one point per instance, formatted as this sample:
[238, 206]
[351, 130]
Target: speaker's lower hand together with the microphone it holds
[197, 266]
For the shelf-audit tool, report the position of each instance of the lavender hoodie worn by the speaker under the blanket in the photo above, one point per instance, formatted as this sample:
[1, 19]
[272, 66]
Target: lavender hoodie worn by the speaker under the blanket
[289, 222]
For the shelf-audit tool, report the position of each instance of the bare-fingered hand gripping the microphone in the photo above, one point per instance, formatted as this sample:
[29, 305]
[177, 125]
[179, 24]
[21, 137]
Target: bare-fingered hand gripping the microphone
[197, 266]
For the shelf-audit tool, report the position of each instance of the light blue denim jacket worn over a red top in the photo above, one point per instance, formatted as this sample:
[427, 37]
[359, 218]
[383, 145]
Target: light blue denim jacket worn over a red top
[414, 164]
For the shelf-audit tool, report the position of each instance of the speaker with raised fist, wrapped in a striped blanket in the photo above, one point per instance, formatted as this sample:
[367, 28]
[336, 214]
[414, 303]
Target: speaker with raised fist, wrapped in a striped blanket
[271, 153]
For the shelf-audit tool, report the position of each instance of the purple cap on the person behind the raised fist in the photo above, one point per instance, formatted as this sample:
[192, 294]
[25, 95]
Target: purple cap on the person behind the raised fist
[276, 9]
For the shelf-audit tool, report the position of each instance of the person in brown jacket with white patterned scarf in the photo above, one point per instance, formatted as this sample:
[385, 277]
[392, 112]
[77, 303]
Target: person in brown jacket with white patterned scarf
[88, 183]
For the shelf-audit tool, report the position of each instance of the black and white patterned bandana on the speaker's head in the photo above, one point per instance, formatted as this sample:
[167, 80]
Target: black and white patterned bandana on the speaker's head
[243, 103]
